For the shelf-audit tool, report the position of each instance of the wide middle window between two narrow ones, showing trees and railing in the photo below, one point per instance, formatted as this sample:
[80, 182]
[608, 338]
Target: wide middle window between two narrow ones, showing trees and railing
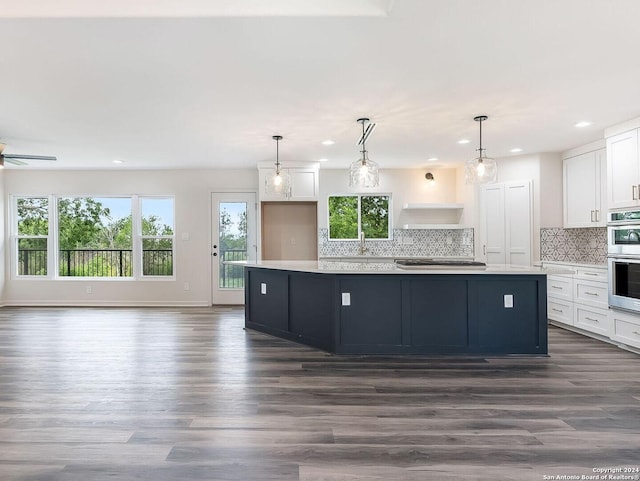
[94, 236]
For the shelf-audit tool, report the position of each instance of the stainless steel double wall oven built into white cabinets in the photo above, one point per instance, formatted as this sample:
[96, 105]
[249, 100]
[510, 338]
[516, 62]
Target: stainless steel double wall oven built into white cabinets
[624, 260]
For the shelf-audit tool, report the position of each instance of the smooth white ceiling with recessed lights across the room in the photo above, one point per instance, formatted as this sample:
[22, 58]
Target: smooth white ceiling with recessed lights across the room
[187, 85]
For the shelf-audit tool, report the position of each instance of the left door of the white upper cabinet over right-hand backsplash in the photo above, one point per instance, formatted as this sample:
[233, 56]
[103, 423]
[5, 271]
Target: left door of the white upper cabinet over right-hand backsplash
[580, 181]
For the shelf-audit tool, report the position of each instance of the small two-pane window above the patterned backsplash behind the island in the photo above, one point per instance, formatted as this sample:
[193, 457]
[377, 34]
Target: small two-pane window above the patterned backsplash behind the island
[352, 214]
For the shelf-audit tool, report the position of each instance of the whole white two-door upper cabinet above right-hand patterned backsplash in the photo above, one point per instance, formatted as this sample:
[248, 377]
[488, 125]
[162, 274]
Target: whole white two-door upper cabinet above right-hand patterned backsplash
[585, 190]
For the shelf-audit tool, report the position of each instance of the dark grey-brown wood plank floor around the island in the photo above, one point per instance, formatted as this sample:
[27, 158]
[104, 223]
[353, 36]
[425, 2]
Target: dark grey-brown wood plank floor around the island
[187, 394]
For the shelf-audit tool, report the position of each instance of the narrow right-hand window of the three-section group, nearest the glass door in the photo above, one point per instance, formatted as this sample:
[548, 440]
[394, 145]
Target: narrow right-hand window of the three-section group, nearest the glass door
[157, 236]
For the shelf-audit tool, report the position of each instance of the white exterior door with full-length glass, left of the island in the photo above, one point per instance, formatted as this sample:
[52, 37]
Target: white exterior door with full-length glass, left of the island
[233, 238]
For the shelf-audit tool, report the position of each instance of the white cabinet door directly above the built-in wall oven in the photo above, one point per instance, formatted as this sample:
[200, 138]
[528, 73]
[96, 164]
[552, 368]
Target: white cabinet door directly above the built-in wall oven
[623, 170]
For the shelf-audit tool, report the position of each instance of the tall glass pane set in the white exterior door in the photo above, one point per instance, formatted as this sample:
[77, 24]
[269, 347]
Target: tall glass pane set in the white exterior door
[233, 243]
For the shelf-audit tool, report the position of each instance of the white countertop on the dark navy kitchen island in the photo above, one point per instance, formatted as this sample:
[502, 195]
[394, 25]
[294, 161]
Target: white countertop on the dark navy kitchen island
[345, 267]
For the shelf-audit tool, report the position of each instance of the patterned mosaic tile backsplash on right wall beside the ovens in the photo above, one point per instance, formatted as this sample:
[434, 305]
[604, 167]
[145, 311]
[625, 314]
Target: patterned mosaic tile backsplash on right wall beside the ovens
[583, 246]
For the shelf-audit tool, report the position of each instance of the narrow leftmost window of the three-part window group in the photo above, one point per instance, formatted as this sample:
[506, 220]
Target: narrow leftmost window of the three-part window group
[32, 240]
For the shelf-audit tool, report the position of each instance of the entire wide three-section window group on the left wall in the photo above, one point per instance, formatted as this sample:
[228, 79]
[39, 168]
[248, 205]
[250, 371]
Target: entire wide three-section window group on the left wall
[96, 236]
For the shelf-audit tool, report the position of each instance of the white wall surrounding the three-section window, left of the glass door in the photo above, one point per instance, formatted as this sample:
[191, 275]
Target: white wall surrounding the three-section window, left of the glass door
[192, 190]
